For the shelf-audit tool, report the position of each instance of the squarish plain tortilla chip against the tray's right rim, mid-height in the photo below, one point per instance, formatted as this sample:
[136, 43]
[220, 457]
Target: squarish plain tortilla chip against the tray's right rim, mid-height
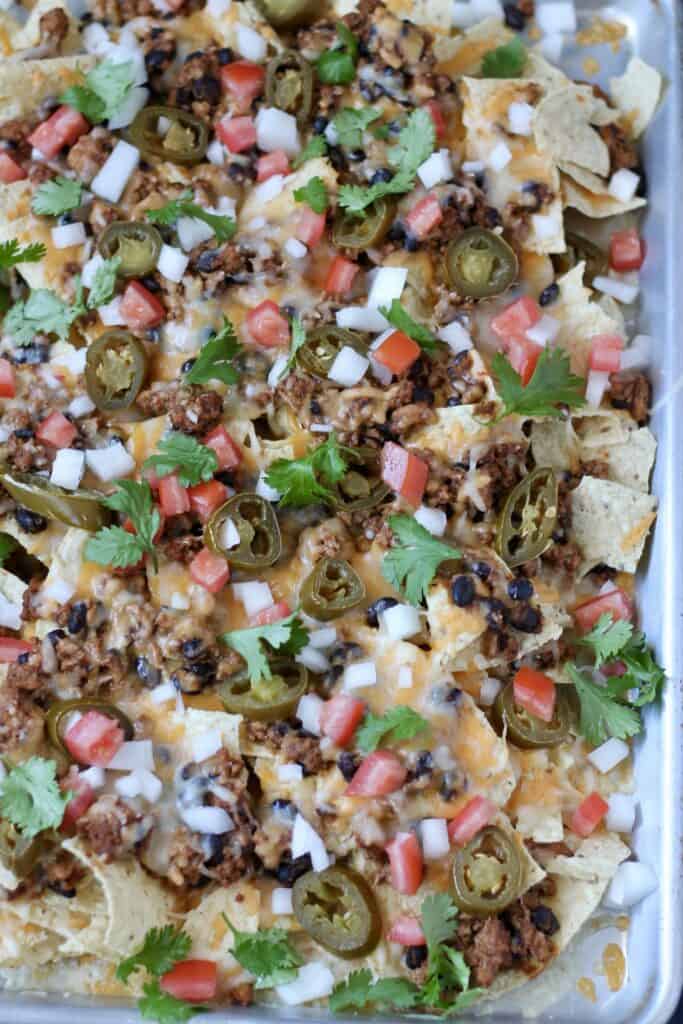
[611, 524]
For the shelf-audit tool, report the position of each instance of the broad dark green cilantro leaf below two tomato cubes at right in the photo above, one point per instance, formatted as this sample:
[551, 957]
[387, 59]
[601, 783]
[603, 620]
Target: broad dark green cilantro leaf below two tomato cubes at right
[551, 387]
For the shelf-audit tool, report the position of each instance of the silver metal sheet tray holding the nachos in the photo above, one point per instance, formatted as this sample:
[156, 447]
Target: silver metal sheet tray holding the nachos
[654, 943]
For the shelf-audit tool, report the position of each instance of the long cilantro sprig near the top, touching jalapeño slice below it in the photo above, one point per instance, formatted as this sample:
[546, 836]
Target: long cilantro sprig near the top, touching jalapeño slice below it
[416, 144]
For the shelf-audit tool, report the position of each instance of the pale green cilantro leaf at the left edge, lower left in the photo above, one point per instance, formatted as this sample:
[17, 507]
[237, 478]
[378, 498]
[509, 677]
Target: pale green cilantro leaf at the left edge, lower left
[31, 798]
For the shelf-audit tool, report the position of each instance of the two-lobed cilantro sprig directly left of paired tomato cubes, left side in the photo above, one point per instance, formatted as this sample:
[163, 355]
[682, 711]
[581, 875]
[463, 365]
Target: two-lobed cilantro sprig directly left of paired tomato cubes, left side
[114, 545]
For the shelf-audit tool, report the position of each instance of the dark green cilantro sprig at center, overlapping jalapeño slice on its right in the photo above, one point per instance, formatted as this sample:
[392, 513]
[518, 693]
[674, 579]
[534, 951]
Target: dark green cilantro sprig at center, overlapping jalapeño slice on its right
[308, 481]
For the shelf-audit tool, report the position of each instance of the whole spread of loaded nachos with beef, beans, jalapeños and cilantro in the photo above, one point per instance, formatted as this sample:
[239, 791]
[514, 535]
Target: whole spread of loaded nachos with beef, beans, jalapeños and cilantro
[325, 478]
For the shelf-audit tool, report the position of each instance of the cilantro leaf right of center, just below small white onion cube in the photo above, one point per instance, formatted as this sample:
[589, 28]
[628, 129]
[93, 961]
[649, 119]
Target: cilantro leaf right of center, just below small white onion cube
[412, 565]
